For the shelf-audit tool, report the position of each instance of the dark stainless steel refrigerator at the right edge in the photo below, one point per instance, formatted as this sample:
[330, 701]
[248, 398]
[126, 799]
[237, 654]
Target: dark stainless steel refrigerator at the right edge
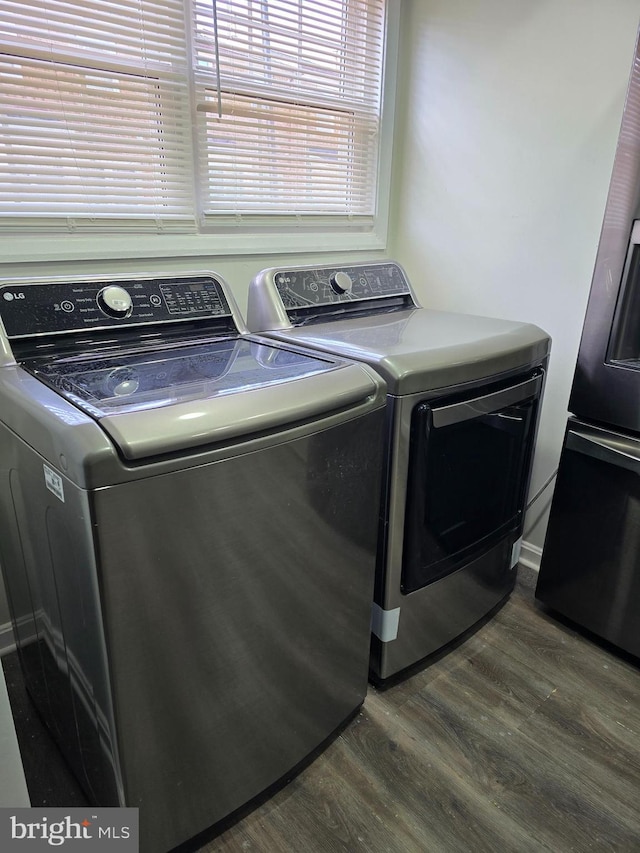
[590, 569]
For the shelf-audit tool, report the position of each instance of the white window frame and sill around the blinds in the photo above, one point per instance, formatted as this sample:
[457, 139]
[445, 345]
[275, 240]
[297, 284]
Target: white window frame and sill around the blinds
[248, 235]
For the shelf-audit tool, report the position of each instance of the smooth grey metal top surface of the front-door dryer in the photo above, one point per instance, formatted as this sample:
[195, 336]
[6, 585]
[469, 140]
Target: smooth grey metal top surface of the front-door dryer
[419, 349]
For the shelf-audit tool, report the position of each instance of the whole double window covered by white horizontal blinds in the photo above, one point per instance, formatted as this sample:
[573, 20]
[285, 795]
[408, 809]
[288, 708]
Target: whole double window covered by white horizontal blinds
[189, 116]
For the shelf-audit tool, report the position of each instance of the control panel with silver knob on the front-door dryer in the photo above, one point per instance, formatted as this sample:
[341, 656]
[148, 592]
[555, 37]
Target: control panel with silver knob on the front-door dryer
[314, 287]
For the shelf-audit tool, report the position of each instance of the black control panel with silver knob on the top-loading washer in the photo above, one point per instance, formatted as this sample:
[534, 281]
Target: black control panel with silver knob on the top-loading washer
[37, 309]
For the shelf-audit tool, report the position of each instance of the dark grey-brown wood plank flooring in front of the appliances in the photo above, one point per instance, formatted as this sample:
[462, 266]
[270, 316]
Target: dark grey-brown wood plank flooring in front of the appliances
[526, 737]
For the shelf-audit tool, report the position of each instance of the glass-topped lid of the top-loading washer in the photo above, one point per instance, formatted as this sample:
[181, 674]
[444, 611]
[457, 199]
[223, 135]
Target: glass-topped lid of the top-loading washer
[165, 400]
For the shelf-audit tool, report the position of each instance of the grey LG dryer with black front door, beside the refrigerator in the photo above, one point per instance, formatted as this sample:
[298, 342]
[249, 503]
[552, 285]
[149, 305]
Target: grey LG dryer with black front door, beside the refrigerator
[463, 402]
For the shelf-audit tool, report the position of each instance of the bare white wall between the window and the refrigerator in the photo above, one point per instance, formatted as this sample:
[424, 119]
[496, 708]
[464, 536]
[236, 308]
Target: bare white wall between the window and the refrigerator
[507, 118]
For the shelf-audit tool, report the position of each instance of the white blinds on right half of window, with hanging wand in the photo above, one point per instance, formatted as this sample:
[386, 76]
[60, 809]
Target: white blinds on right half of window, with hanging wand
[288, 104]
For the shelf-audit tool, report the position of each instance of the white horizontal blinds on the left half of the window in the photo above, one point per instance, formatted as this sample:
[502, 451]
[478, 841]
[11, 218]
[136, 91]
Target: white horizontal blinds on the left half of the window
[94, 112]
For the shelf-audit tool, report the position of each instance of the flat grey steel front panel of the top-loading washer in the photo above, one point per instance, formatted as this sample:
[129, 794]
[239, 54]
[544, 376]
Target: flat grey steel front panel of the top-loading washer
[242, 642]
